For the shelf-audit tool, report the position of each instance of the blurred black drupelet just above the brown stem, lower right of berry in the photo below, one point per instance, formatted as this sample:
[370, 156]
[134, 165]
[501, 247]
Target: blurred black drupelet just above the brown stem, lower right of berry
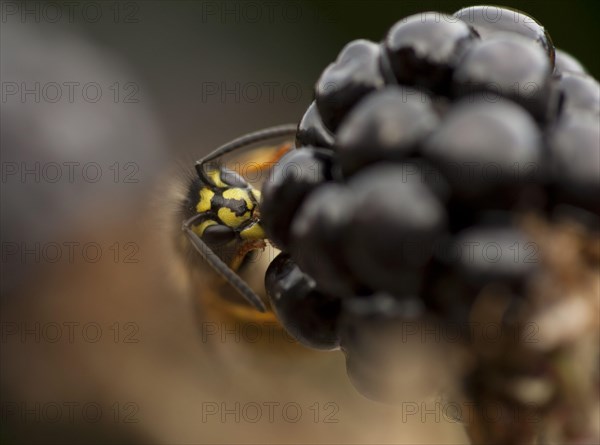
[491, 251]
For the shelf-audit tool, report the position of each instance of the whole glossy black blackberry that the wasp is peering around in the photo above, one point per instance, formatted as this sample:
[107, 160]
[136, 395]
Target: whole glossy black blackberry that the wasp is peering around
[435, 171]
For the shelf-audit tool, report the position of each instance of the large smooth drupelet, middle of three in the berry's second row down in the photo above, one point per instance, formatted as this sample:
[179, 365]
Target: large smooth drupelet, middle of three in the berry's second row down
[486, 150]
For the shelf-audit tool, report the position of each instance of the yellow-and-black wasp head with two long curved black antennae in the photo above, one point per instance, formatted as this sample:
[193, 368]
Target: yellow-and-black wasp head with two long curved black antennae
[223, 210]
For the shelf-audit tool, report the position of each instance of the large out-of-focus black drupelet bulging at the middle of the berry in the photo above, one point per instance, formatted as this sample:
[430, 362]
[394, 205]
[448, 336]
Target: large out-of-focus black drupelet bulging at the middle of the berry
[394, 227]
